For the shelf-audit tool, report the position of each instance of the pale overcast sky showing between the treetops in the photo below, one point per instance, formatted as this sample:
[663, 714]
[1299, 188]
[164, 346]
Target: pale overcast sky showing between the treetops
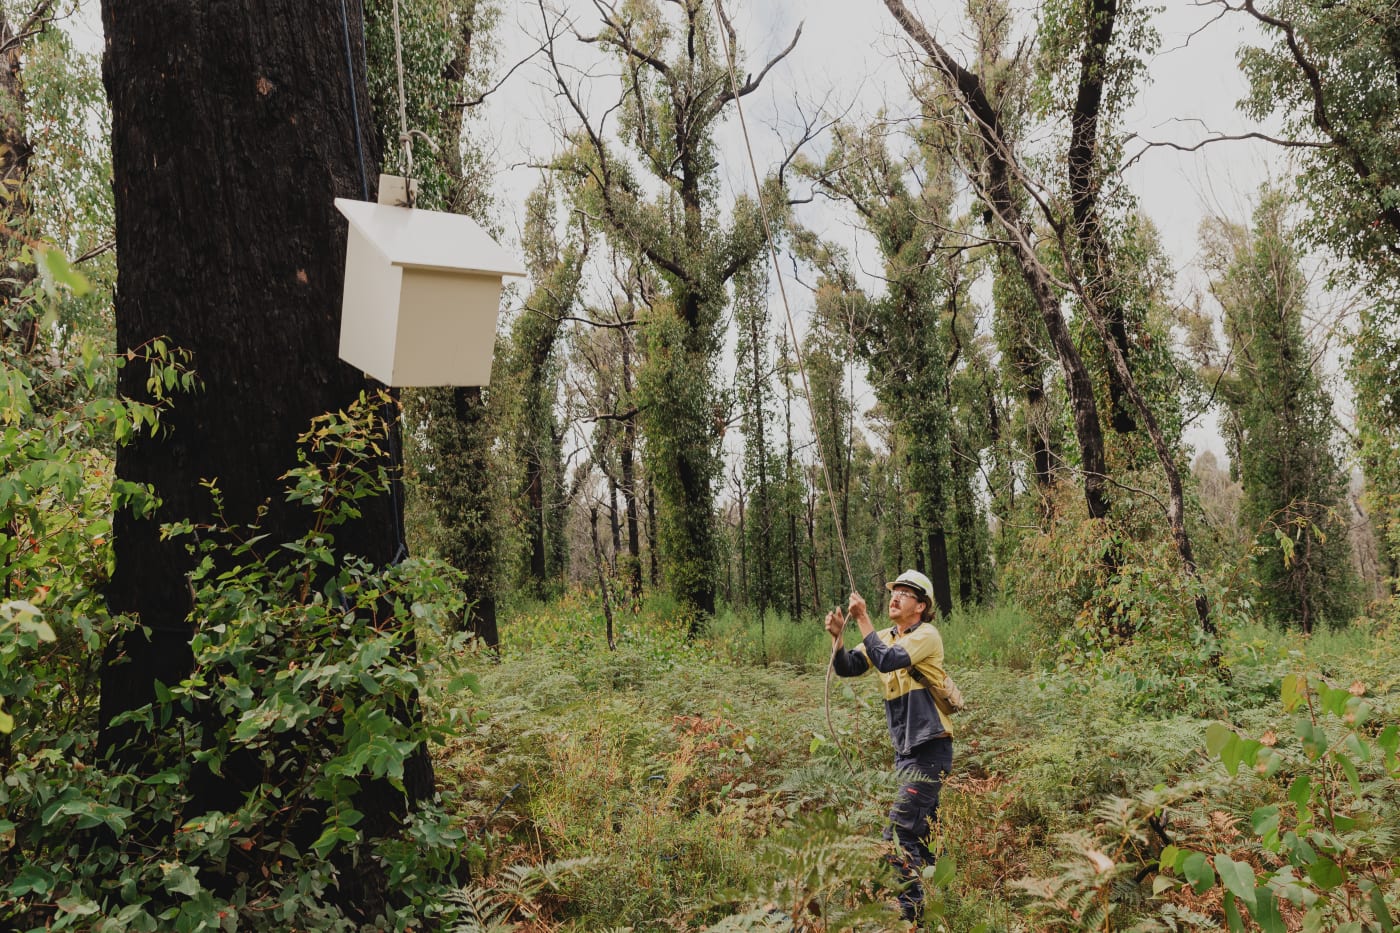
[849, 55]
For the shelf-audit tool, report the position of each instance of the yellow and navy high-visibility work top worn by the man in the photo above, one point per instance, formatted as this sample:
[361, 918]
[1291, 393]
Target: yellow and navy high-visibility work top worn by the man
[912, 711]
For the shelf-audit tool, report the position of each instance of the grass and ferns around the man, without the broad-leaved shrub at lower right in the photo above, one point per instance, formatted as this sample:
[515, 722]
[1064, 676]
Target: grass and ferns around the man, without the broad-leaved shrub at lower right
[703, 788]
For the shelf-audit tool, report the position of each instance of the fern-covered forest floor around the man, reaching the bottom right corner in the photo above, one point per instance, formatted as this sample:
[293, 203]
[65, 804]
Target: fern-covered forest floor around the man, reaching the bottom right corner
[692, 785]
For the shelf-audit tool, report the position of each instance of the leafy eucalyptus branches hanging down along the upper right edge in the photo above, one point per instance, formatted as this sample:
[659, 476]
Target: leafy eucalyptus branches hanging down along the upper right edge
[1322, 69]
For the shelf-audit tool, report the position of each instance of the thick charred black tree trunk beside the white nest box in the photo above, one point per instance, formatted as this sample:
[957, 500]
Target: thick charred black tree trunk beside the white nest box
[233, 132]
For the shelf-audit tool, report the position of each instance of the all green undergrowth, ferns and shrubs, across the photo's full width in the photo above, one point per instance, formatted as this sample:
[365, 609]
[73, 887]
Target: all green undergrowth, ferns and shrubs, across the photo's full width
[675, 782]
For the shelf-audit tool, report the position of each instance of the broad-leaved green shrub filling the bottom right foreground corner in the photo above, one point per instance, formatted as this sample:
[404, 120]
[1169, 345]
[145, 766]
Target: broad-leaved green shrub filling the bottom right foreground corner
[1322, 840]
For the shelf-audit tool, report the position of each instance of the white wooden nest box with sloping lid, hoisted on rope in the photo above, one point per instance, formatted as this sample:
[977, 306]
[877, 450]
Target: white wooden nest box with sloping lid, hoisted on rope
[422, 292]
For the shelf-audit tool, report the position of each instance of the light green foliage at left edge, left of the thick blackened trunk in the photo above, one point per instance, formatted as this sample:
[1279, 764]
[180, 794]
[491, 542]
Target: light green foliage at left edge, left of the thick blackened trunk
[57, 501]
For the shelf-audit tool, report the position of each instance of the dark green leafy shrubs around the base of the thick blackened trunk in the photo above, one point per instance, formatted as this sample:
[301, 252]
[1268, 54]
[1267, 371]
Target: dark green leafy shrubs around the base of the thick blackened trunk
[304, 673]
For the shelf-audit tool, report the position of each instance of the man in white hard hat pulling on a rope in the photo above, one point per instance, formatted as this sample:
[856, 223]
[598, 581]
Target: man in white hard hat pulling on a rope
[909, 659]
